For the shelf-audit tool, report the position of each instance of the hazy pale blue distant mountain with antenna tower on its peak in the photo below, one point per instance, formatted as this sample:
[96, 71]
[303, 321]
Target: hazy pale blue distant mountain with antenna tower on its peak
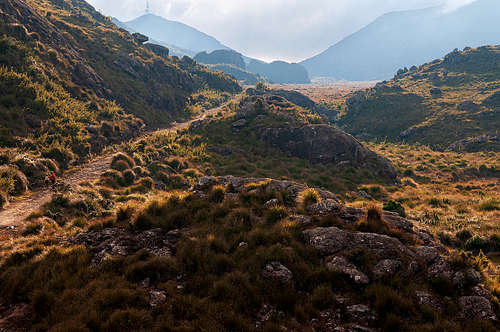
[174, 33]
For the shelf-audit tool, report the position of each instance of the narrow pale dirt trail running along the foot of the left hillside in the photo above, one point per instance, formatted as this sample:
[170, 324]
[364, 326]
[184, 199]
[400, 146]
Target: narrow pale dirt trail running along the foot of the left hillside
[17, 211]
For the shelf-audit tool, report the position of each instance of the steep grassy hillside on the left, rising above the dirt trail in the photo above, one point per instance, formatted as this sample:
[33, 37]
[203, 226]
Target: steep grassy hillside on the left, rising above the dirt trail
[72, 83]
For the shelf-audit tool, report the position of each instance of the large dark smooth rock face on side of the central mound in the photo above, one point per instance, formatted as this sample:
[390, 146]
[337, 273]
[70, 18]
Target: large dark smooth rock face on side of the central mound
[327, 144]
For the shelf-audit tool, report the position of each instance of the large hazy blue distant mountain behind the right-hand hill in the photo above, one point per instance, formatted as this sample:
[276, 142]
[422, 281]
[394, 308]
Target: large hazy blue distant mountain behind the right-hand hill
[400, 39]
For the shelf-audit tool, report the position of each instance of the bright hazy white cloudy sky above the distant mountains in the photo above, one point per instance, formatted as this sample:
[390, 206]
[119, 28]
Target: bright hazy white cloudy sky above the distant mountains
[271, 29]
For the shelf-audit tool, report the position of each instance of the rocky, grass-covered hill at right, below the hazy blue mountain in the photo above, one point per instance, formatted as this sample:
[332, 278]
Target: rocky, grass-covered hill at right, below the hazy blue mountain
[451, 103]
